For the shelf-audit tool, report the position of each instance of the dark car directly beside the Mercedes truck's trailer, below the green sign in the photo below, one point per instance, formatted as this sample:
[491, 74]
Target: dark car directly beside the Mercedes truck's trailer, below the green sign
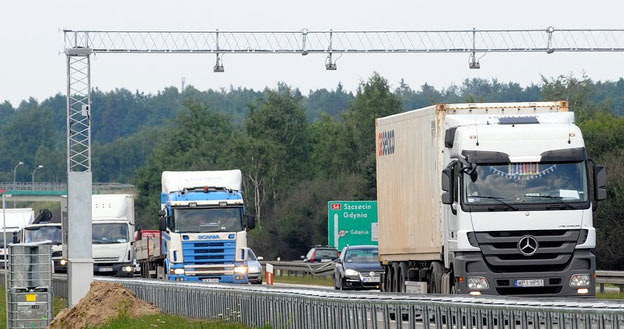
[358, 268]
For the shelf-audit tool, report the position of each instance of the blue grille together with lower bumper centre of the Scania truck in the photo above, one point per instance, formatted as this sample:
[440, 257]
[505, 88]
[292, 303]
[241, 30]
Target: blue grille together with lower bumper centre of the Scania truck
[209, 257]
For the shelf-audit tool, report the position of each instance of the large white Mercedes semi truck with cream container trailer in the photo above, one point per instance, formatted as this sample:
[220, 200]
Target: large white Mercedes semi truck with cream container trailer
[487, 199]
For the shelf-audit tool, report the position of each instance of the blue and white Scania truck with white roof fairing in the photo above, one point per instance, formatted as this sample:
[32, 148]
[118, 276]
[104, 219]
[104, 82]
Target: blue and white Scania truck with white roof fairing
[203, 226]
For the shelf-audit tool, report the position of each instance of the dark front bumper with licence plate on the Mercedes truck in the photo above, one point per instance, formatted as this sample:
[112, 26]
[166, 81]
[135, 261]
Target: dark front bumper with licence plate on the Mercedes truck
[517, 281]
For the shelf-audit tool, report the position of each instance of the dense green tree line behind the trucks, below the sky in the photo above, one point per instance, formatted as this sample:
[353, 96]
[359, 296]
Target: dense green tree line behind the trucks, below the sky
[296, 152]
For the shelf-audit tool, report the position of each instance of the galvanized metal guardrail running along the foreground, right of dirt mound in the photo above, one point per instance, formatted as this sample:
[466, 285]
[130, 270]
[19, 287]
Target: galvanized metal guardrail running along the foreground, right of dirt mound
[257, 306]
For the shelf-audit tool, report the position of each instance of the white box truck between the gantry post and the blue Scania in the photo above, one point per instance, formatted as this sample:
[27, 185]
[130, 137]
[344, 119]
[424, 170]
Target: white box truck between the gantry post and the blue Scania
[113, 234]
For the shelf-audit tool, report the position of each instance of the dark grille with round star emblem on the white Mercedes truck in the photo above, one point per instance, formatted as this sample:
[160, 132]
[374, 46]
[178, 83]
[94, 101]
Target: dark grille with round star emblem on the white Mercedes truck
[527, 251]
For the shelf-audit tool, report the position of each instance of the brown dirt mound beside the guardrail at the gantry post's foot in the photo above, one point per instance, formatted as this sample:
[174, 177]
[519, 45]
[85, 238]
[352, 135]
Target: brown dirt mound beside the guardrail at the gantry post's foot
[104, 302]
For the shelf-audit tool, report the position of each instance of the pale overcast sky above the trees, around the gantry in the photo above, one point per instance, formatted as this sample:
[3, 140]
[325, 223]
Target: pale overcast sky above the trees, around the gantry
[31, 63]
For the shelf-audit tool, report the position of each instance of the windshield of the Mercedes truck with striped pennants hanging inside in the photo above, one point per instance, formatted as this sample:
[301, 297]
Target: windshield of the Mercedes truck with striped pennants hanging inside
[519, 183]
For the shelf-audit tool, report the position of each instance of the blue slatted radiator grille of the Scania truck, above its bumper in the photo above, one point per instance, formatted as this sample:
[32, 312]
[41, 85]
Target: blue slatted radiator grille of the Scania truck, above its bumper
[209, 252]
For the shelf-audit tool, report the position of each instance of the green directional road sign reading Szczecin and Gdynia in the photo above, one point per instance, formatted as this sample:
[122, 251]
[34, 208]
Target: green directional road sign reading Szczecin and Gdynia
[351, 223]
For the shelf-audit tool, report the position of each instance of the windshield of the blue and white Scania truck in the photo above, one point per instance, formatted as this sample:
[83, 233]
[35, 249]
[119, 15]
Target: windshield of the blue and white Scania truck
[202, 220]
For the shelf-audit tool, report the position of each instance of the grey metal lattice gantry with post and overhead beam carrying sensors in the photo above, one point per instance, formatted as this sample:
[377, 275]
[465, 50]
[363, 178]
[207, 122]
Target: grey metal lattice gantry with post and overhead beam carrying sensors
[80, 44]
